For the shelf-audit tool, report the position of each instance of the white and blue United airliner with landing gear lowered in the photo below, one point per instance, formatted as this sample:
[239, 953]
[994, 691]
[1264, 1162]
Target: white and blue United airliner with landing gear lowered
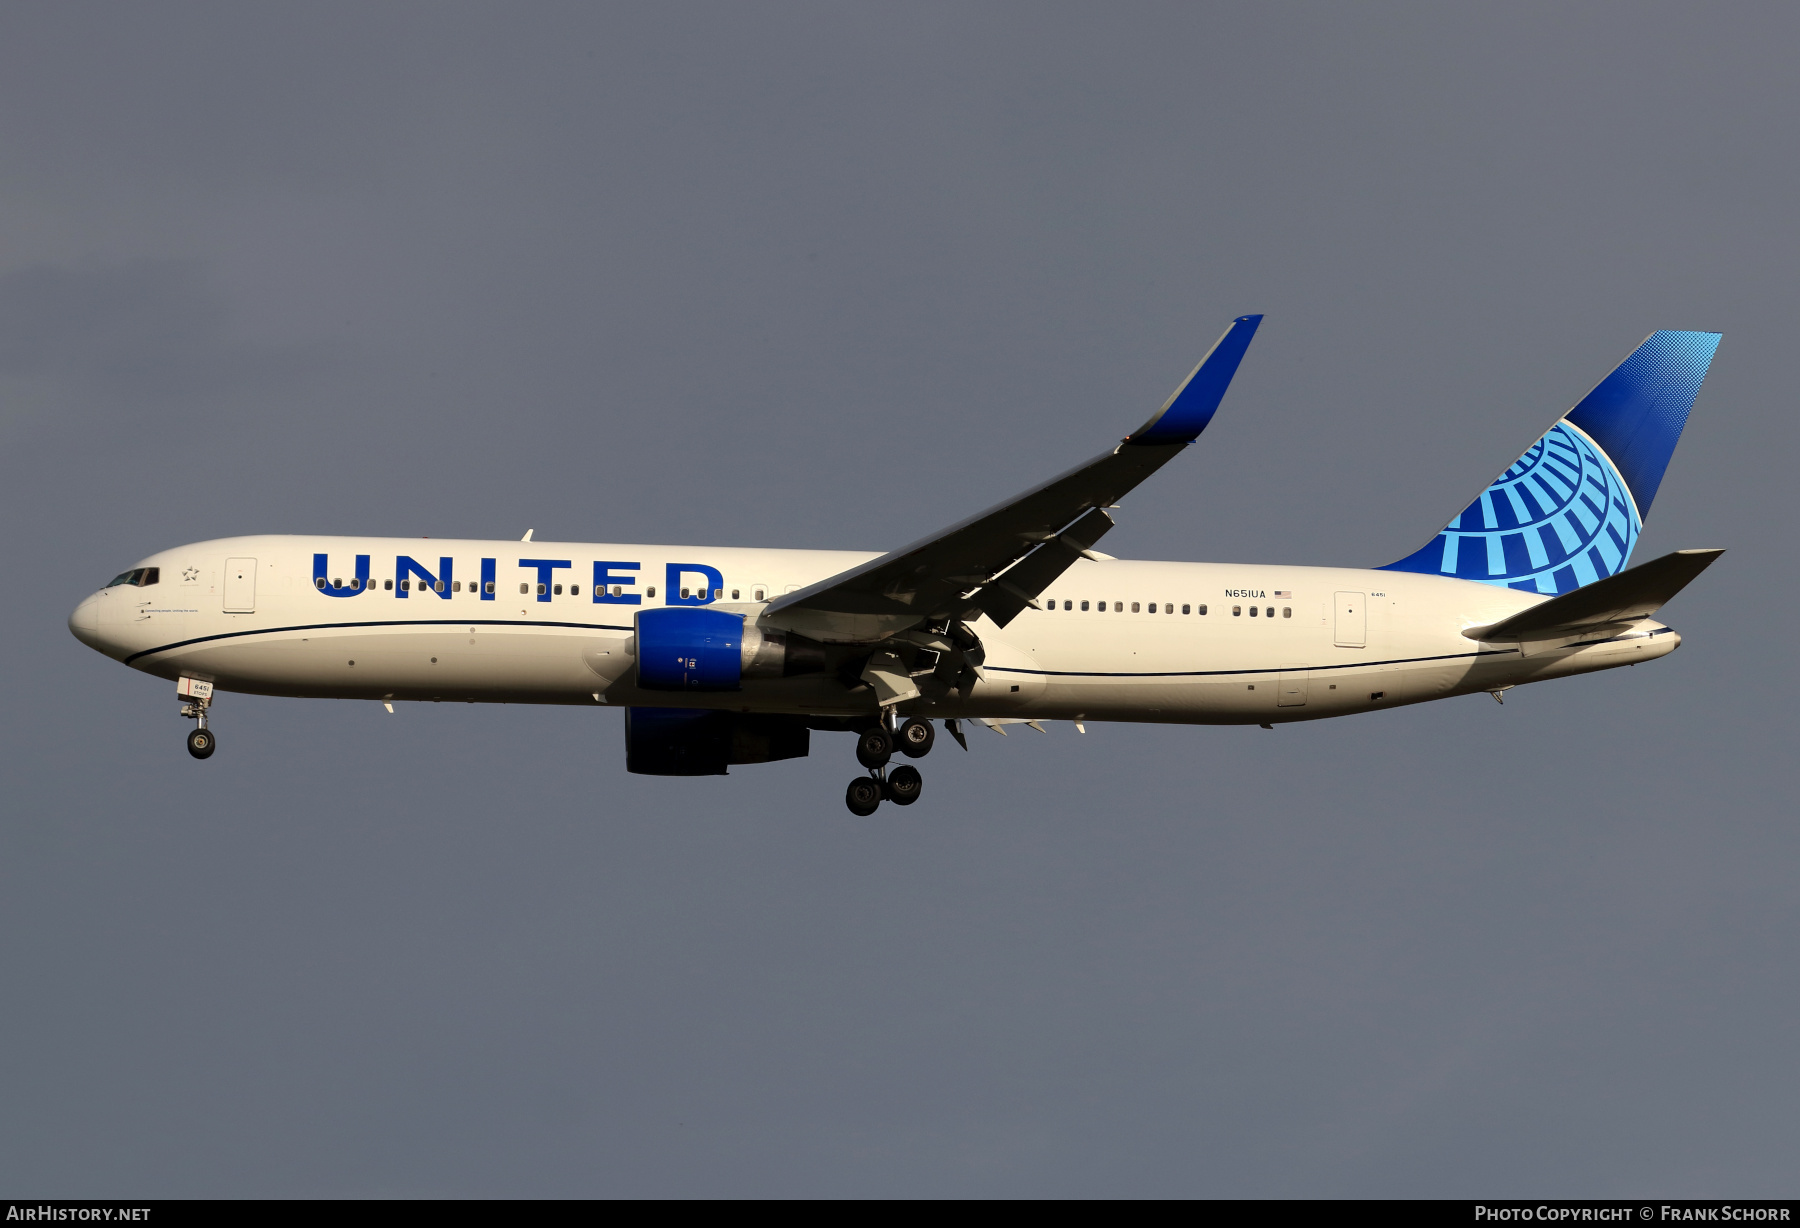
[728, 656]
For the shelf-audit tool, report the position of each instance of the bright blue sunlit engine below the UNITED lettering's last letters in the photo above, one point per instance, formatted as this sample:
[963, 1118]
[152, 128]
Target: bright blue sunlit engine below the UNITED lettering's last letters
[687, 649]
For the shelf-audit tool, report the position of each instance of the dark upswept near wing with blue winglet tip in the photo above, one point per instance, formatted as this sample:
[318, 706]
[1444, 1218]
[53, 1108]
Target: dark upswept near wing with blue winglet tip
[1000, 561]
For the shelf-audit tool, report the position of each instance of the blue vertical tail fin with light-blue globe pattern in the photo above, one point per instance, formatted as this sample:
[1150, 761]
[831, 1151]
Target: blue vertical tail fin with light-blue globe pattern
[1570, 510]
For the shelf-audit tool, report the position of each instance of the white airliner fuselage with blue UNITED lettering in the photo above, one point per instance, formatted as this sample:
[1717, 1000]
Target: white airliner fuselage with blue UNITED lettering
[249, 615]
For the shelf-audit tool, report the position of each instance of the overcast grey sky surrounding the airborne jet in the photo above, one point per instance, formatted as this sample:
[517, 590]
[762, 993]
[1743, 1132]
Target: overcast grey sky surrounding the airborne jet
[836, 276]
